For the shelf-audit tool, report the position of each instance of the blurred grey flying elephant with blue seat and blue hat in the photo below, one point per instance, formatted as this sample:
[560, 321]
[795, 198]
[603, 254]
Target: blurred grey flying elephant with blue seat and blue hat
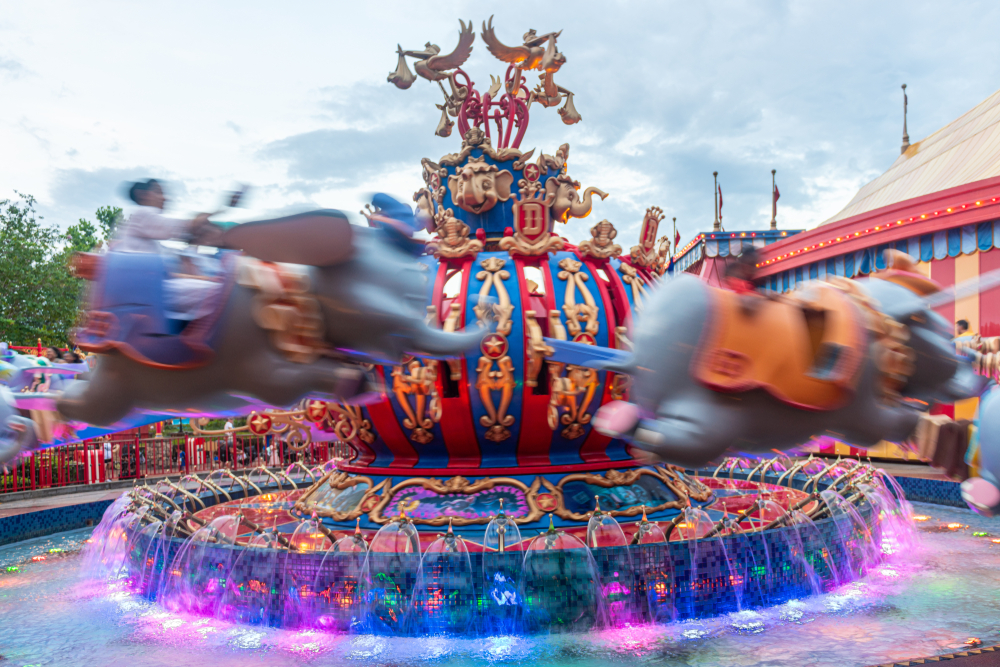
[279, 332]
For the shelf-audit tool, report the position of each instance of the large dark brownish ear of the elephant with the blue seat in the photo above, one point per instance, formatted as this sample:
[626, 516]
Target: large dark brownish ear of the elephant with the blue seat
[318, 238]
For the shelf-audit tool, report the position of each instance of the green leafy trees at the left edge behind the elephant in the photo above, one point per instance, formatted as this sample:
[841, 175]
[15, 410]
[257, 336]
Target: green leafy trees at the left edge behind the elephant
[39, 295]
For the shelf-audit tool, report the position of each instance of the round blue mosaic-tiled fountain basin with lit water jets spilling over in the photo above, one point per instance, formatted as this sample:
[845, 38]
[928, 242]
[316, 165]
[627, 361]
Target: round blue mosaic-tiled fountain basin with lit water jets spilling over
[527, 589]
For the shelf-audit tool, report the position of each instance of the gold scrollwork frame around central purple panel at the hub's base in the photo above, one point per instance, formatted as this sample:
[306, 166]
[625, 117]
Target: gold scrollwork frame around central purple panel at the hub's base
[462, 486]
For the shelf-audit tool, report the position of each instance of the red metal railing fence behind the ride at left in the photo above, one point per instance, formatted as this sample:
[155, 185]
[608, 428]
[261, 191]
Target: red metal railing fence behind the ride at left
[124, 458]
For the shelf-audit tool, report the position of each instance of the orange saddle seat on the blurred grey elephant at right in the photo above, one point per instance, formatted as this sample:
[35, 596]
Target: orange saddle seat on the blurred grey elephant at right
[805, 350]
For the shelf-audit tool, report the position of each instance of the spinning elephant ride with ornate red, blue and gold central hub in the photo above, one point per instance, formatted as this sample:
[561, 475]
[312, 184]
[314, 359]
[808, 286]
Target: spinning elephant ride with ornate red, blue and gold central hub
[499, 372]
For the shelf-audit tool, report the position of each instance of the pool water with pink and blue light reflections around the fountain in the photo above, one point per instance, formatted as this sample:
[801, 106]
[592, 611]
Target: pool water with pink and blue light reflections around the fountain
[928, 601]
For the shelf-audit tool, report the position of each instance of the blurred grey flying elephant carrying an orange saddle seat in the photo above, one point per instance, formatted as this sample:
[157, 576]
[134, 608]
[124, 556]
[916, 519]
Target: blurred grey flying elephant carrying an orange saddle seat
[714, 370]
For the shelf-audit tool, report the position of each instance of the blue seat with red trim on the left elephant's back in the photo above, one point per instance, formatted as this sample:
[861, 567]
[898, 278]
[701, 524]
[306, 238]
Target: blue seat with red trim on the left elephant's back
[127, 315]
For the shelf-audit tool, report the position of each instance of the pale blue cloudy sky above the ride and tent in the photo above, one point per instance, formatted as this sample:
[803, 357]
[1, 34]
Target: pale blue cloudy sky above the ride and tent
[291, 98]
